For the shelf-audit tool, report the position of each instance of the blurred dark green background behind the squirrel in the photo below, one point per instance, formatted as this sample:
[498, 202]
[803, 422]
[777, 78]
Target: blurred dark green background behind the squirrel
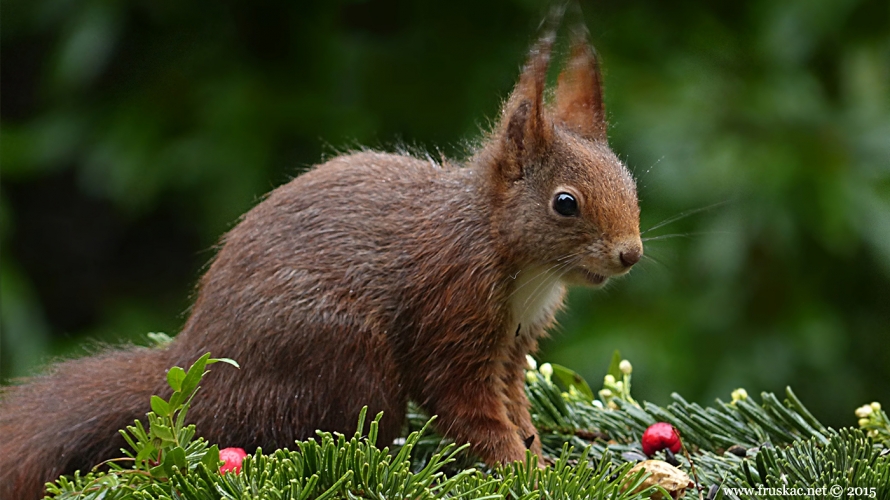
[135, 133]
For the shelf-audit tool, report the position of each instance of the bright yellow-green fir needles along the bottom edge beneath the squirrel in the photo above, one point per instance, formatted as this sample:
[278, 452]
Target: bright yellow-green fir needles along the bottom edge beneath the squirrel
[334, 467]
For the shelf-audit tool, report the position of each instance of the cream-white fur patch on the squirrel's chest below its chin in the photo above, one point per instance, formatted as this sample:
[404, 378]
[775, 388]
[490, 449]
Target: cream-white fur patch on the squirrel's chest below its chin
[537, 294]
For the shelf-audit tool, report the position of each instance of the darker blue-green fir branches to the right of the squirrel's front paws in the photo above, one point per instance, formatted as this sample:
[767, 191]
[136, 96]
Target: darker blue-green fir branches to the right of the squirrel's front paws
[782, 442]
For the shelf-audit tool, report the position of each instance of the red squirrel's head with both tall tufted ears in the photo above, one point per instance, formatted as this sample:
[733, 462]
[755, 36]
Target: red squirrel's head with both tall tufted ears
[561, 198]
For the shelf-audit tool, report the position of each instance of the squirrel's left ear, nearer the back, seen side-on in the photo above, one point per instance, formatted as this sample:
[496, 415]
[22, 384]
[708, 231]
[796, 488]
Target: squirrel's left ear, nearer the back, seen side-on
[525, 130]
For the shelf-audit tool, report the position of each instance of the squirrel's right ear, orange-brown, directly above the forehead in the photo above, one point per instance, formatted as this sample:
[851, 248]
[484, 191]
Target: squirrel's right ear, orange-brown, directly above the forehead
[579, 91]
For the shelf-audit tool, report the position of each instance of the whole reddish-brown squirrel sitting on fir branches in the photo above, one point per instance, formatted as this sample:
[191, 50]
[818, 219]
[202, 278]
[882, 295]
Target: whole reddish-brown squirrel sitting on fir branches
[372, 279]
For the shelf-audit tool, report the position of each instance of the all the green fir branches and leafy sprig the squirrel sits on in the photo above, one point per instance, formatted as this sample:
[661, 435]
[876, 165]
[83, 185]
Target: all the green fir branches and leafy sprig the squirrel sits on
[744, 448]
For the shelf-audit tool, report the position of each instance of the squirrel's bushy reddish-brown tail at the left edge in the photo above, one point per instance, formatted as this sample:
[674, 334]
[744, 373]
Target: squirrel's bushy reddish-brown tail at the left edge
[69, 420]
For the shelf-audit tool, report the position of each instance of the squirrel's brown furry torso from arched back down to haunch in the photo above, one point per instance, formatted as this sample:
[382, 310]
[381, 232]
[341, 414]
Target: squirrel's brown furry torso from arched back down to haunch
[355, 261]
